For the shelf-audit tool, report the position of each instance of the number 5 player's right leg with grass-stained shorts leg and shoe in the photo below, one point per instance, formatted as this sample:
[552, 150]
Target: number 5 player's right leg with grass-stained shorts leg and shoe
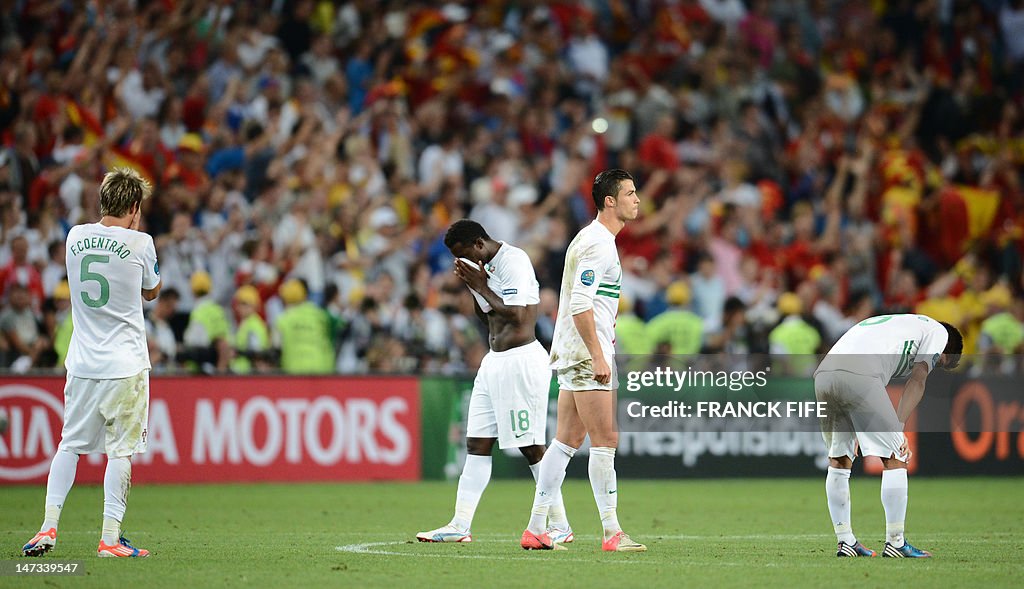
[125, 404]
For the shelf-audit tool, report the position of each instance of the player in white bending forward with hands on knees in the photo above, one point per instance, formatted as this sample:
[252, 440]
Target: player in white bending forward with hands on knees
[852, 381]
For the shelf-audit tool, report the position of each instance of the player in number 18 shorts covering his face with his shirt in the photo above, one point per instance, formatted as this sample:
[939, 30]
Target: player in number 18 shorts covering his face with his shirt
[509, 404]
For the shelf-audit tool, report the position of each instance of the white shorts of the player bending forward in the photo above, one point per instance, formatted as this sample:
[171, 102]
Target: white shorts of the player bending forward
[860, 411]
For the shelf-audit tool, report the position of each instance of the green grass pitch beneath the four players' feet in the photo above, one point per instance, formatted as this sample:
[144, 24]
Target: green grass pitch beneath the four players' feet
[707, 534]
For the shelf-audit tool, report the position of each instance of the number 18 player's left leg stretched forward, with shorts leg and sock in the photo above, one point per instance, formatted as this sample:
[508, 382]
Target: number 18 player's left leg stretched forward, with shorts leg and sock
[482, 433]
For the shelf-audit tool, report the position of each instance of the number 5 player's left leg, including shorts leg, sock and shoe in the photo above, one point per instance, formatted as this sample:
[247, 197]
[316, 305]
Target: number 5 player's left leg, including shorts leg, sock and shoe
[82, 433]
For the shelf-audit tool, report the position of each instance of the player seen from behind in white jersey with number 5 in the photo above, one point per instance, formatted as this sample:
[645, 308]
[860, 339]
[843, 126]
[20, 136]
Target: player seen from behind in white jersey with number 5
[112, 267]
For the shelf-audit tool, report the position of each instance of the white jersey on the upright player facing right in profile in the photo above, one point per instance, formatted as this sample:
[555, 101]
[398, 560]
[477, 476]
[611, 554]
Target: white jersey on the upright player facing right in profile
[592, 279]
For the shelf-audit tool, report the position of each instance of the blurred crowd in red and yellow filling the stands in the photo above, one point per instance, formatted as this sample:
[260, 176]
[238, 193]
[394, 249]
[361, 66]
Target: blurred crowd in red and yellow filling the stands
[803, 165]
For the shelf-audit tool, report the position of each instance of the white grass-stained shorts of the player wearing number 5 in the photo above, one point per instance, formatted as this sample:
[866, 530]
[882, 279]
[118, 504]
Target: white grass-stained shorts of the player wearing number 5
[107, 416]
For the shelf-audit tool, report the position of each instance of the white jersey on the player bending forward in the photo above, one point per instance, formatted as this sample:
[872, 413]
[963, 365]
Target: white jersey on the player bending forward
[888, 347]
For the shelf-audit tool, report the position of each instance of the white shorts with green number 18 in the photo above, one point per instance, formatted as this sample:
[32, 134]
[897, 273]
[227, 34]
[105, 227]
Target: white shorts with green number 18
[510, 397]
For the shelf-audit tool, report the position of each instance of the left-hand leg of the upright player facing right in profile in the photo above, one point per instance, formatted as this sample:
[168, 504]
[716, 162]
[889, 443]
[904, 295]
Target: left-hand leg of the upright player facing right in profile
[570, 435]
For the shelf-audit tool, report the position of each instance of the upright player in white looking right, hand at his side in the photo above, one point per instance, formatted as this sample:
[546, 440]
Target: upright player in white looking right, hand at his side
[583, 356]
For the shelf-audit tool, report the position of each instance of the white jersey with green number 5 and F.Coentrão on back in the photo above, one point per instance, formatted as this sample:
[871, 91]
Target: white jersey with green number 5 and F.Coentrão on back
[108, 268]
